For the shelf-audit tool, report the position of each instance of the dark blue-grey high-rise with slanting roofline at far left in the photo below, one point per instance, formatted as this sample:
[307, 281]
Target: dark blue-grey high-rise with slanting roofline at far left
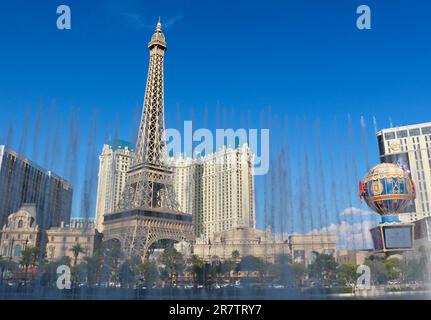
[22, 181]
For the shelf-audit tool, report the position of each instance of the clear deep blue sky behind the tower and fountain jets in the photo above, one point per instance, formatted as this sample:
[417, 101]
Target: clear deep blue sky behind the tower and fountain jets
[301, 58]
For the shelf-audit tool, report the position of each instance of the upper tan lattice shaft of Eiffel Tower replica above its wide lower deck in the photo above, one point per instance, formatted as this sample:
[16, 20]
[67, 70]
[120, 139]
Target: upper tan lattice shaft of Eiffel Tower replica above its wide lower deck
[149, 182]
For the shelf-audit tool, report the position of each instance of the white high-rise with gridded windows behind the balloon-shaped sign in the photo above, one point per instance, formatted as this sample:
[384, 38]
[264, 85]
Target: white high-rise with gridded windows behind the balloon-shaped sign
[410, 146]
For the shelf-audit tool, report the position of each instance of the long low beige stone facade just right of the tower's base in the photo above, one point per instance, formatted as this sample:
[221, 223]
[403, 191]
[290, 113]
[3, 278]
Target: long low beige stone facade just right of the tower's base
[262, 244]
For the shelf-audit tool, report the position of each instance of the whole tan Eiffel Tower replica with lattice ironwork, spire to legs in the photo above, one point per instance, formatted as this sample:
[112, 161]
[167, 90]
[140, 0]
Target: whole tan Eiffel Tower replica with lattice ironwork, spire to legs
[148, 211]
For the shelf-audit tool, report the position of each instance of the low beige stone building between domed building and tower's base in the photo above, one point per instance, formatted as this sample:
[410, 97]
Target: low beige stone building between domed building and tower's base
[62, 239]
